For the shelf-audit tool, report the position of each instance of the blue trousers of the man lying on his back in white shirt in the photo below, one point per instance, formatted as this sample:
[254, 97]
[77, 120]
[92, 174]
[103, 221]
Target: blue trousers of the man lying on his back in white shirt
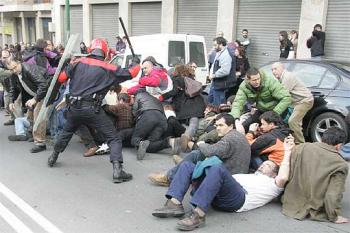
[217, 188]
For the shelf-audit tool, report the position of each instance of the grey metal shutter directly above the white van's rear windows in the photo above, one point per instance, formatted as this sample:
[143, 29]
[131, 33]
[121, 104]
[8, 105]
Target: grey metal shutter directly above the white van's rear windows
[197, 17]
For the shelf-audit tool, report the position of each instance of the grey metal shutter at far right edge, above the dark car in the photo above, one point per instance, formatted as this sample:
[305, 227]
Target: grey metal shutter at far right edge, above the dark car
[338, 30]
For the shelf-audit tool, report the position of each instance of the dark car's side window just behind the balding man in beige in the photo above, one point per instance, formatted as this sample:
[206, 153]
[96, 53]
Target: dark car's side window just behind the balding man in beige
[310, 75]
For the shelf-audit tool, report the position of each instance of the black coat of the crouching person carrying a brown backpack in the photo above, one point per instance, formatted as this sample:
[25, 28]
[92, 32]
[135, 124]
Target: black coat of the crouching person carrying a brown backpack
[185, 107]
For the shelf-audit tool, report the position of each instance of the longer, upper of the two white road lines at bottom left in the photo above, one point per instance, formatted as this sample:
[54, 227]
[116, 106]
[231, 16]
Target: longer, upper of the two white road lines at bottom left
[33, 214]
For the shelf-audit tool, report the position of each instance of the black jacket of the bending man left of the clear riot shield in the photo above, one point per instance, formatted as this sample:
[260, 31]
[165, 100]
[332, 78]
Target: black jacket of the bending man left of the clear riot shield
[34, 77]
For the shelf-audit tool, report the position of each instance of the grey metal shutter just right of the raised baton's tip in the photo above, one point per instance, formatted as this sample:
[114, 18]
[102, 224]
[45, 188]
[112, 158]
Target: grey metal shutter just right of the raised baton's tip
[145, 18]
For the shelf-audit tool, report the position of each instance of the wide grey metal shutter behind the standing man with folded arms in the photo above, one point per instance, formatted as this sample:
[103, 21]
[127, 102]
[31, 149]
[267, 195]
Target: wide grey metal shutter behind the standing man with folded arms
[264, 20]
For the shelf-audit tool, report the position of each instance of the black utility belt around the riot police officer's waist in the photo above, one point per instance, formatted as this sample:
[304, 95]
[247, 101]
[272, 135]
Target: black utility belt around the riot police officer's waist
[94, 102]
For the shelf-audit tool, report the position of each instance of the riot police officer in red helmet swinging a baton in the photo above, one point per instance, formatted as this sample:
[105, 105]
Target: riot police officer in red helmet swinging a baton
[90, 78]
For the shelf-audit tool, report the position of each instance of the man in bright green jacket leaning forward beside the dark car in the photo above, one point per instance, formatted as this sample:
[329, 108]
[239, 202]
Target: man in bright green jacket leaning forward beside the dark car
[266, 92]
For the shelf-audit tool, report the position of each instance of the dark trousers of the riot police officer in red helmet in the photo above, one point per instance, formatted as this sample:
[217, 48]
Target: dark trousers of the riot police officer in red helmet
[78, 116]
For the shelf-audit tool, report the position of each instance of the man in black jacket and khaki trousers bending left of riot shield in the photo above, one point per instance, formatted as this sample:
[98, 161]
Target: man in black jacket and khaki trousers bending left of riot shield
[34, 86]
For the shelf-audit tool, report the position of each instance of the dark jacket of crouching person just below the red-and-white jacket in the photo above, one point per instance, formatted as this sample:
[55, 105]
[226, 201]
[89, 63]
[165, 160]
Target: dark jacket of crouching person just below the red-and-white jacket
[144, 102]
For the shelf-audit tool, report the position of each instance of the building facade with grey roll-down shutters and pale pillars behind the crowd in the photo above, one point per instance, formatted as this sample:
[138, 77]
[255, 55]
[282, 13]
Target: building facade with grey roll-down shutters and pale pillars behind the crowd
[263, 18]
